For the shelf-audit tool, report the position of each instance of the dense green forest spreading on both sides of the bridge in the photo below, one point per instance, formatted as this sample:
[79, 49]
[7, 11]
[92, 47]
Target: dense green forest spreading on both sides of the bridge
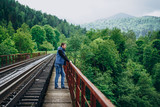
[126, 69]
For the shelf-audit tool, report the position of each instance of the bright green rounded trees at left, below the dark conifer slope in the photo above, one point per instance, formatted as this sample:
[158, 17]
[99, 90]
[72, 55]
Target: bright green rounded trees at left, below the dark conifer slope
[26, 40]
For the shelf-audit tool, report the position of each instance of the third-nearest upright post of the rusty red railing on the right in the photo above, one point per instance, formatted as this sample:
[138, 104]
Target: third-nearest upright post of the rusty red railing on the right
[77, 90]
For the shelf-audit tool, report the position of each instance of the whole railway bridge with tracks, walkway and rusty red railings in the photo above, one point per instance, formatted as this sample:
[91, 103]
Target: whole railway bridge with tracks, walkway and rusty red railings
[27, 80]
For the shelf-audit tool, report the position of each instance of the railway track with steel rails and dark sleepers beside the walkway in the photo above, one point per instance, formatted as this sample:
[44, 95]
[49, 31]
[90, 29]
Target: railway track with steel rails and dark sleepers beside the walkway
[26, 86]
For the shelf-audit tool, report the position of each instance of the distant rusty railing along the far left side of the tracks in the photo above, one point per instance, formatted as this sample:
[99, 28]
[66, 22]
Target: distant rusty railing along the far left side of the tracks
[13, 58]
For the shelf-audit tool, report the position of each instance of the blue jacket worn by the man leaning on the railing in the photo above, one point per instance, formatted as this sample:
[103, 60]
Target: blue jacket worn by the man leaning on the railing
[59, 60]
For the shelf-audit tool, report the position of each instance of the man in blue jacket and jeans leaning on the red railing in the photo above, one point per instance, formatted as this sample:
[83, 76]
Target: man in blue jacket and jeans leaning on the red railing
[61, 59]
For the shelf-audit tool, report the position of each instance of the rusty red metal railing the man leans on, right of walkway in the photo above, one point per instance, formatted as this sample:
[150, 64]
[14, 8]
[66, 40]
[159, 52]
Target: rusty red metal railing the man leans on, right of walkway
[78, 83]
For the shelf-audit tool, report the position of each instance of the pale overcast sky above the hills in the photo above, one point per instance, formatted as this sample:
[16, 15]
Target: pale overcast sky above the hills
[85, 11]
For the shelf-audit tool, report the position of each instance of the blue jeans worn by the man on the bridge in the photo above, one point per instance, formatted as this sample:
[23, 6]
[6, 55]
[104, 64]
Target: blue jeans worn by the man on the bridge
[59, 71]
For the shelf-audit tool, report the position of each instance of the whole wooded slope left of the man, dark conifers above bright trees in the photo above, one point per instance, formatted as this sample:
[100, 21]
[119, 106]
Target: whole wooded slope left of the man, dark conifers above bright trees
[24, 30]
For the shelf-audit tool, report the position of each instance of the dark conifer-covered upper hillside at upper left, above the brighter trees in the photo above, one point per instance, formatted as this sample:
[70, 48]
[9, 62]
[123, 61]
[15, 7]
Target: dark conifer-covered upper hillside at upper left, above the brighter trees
[11, 10]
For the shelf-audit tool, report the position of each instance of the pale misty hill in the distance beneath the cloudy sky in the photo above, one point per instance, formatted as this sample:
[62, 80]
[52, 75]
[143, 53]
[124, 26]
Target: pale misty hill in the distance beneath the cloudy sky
[140, 25]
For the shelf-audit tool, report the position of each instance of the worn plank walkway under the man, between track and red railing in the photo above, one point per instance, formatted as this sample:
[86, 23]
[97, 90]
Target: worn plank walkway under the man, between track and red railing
[57, 97]
